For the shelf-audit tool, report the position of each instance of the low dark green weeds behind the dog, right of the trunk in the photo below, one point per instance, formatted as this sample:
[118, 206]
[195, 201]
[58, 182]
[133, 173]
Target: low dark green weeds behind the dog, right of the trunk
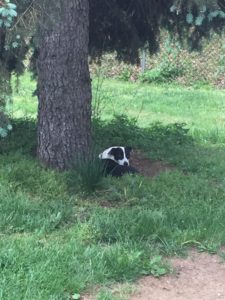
[122, 130]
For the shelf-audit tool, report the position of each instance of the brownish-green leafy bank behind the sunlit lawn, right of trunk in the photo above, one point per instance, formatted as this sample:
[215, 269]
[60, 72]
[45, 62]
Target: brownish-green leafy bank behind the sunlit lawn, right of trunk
[173, 63]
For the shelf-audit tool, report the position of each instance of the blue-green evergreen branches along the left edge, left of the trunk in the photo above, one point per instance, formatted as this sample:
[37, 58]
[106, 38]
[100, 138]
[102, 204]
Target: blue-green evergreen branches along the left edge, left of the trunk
[14, 44]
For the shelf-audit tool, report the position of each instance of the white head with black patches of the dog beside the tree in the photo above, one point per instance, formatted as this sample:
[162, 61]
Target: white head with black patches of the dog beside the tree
[119, 154]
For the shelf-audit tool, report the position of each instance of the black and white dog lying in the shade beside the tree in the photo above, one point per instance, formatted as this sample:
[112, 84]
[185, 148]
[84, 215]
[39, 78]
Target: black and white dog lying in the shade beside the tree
[116, 161]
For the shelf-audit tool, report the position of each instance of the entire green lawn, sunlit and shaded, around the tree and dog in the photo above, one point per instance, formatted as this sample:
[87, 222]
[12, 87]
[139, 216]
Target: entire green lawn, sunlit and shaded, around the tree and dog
[58, 239]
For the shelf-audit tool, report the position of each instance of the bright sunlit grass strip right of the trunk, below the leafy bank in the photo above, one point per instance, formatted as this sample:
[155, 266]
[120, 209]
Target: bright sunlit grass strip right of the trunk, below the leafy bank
[203, 110]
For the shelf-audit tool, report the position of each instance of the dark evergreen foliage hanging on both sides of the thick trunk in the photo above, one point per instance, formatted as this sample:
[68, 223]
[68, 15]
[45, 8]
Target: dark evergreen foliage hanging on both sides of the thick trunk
[121, 26]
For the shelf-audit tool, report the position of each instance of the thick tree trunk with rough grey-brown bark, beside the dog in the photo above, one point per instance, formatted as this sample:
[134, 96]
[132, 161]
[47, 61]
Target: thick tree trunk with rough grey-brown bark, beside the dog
[64, 86]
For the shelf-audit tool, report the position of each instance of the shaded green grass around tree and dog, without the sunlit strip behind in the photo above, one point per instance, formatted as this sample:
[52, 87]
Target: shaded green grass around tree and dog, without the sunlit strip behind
[91, 244]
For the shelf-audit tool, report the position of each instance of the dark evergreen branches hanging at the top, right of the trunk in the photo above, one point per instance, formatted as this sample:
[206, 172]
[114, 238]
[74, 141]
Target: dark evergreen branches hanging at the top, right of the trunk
[126, 26]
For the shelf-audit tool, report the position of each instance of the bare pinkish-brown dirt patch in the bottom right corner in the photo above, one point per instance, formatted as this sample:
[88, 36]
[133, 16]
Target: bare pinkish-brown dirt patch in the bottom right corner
[201, 276]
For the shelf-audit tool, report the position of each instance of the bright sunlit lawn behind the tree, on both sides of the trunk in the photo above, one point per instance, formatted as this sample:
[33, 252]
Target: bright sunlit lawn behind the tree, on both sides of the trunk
[202, 109]
